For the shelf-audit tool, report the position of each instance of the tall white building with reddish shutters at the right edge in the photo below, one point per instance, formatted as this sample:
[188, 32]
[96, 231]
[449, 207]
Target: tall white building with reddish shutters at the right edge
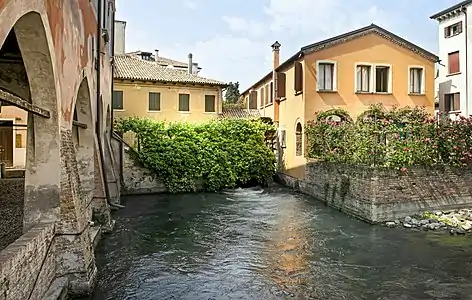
[454, 81]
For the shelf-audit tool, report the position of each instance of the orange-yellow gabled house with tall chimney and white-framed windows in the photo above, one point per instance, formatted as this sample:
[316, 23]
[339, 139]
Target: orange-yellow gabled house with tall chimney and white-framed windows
[349, 71]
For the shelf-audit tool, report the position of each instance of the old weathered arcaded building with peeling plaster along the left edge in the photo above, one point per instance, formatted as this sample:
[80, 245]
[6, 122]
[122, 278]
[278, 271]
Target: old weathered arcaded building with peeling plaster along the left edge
[56, 72]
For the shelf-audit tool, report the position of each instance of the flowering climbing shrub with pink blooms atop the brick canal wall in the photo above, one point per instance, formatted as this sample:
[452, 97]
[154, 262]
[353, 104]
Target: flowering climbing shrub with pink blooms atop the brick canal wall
[397, 138]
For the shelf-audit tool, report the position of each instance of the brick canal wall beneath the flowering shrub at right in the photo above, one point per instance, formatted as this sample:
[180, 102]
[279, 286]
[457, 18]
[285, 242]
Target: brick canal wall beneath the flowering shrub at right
[378, 194]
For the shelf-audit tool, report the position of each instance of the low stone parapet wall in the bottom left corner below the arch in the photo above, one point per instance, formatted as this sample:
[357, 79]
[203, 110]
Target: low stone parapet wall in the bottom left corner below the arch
[27, 266]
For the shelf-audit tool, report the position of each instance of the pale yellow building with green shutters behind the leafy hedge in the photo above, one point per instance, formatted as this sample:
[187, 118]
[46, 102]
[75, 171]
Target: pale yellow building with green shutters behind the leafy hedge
[145, 88]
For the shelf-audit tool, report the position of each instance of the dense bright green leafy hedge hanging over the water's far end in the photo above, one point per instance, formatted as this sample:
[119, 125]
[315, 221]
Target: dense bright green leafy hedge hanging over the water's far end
[214, 155]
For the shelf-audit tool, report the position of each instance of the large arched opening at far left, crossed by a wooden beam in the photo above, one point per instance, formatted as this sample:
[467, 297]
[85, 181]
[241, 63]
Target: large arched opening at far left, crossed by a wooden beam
[28, 97]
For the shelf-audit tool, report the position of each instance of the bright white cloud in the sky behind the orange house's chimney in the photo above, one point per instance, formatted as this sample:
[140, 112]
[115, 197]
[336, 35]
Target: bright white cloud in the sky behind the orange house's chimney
[245, 53]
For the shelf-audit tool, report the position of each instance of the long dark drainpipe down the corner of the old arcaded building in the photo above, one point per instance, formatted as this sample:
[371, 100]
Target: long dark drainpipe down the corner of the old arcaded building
[99, 109]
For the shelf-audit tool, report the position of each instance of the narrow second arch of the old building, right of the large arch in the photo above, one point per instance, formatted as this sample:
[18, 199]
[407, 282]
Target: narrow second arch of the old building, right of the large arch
[84, 143]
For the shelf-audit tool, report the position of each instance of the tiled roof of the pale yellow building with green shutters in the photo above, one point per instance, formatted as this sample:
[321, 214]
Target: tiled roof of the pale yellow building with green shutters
[131, 68]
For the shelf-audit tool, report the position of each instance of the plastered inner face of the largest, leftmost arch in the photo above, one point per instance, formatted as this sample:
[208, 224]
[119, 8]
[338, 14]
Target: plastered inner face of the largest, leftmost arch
[42, 163]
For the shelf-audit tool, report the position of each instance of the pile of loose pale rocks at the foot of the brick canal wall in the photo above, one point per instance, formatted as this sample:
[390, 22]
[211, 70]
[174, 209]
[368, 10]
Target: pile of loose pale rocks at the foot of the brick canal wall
[454, 221]
